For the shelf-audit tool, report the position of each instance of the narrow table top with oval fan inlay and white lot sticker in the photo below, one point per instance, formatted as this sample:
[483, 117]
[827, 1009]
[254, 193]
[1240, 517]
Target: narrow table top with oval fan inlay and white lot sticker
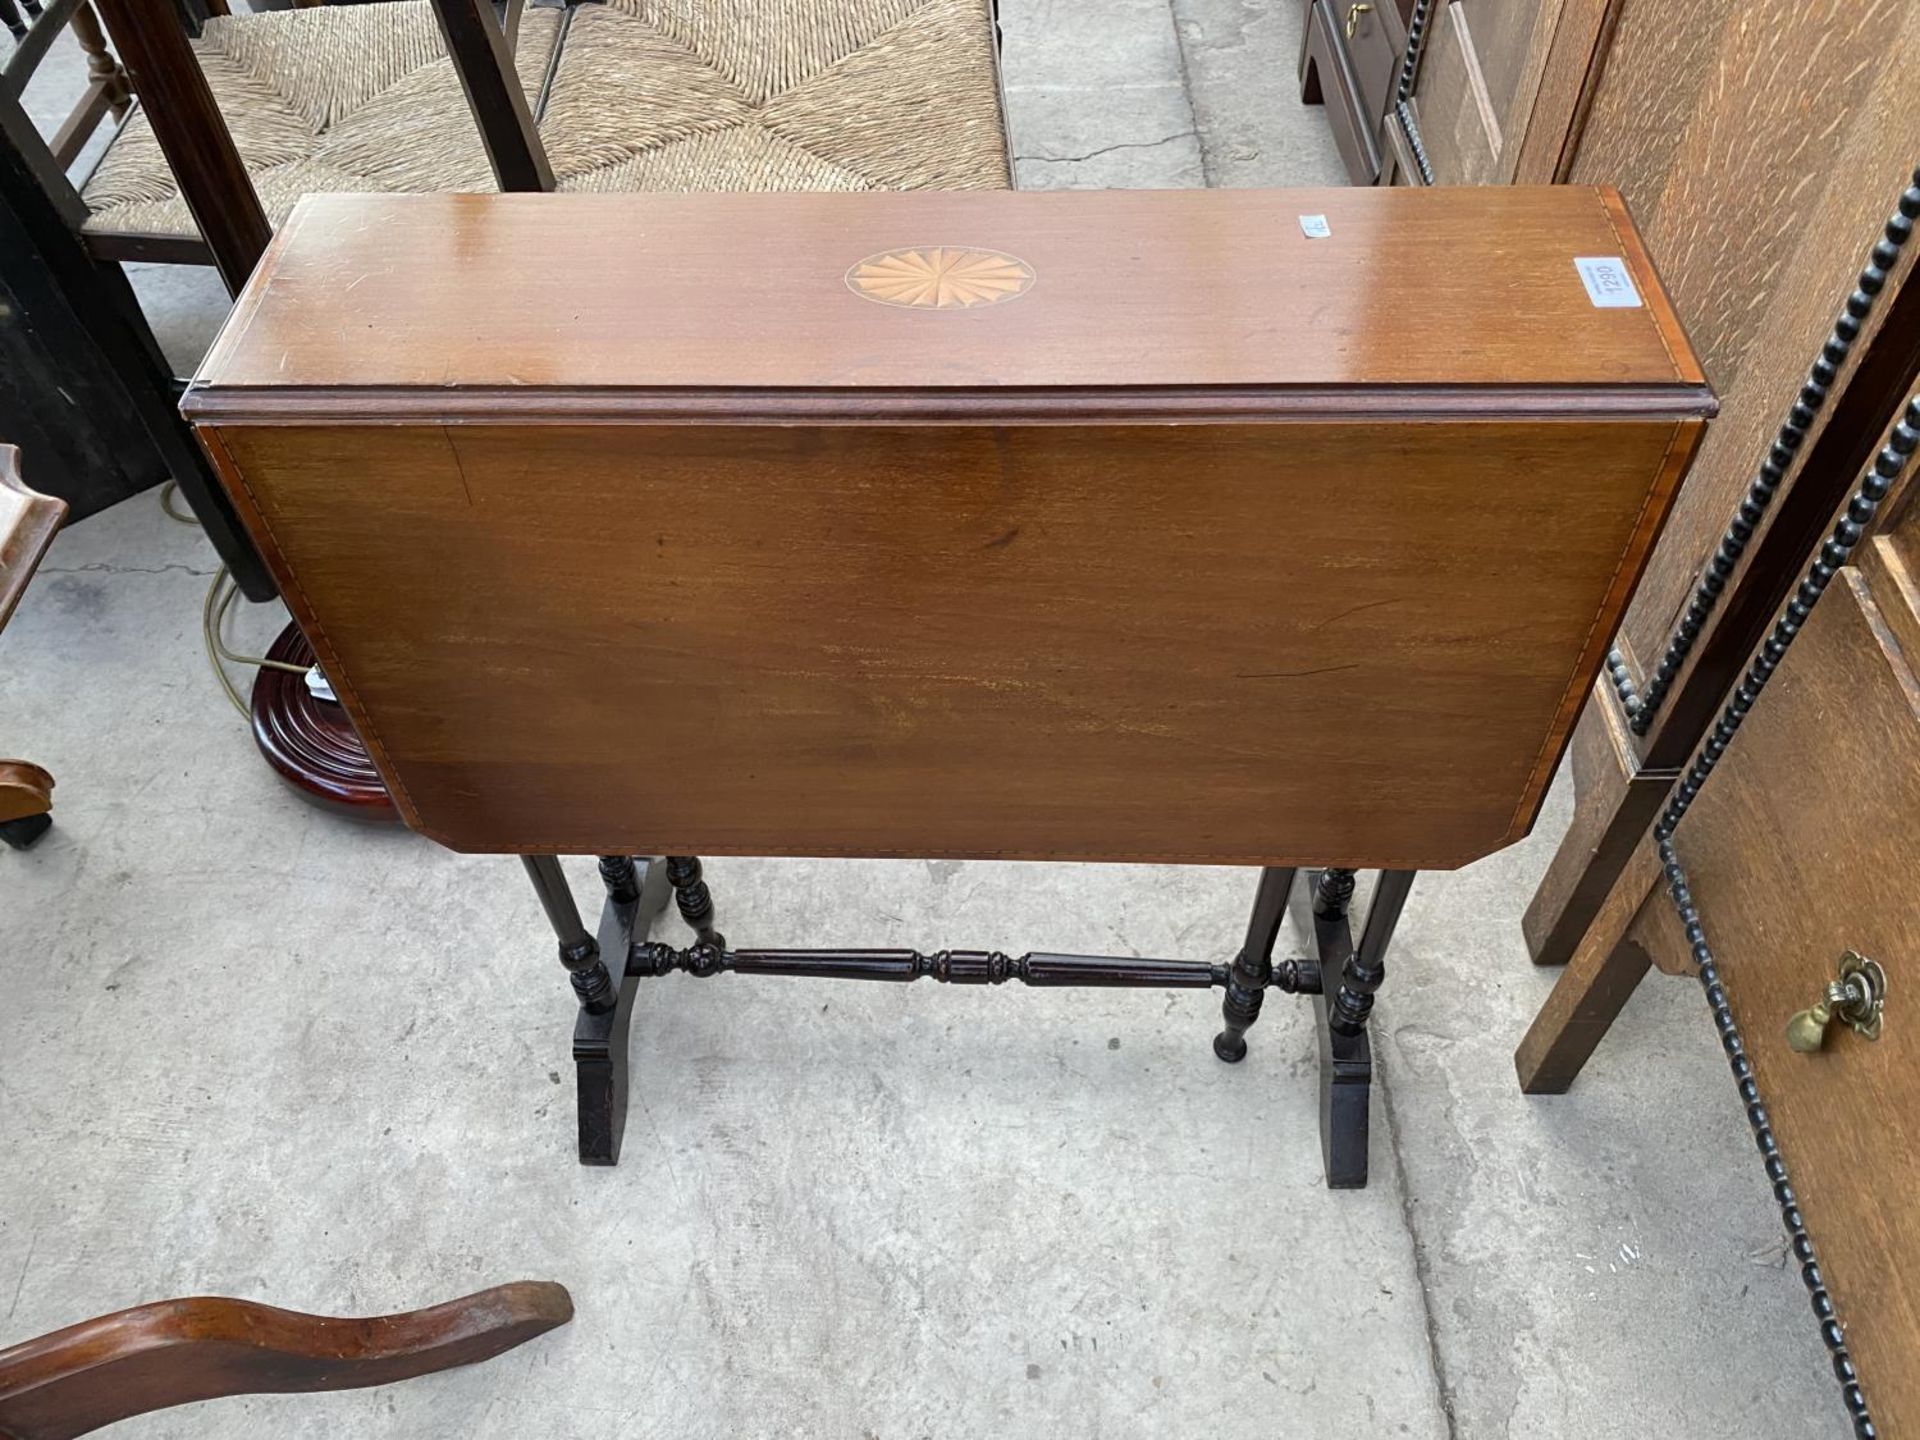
[1456, 297]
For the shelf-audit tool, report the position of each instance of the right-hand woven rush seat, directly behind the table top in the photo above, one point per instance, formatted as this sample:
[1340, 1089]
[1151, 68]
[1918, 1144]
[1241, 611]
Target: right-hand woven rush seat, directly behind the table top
[779, 95]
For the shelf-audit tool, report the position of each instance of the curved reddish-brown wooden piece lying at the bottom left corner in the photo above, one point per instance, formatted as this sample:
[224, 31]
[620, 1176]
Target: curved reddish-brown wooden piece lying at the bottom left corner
[180, 1351]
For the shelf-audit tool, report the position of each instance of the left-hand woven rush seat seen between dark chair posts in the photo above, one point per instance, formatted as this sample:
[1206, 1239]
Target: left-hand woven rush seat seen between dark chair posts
[354, 99]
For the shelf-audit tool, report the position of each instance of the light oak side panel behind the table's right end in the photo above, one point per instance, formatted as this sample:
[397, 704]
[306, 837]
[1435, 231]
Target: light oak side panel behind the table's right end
[1758, 214]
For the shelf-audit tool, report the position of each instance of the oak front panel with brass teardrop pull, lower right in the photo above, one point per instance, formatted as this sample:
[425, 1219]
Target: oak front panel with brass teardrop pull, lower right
[1800, 850]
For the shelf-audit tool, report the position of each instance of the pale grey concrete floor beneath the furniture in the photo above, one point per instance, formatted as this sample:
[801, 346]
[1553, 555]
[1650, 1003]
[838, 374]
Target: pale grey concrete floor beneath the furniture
[247, 1049]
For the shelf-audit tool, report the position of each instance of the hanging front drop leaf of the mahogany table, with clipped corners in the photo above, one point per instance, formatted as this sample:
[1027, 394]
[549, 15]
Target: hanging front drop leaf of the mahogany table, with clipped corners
[1237, 644]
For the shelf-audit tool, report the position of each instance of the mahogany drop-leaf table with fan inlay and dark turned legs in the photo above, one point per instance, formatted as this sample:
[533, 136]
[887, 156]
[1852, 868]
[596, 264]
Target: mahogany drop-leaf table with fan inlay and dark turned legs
[1270, 529]
